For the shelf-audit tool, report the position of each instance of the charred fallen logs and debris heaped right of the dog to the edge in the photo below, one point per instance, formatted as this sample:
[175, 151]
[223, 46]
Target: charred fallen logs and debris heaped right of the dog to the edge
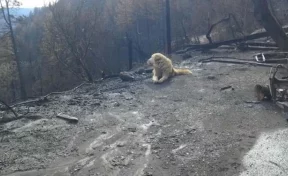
[269, 56]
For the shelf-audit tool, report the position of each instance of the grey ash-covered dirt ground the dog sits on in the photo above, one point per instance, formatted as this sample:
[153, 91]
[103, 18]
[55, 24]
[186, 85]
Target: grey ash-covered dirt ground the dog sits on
[184, 127]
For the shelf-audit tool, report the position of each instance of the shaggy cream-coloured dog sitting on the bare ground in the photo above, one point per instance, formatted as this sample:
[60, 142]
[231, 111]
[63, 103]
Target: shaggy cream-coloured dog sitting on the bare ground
[163, 68]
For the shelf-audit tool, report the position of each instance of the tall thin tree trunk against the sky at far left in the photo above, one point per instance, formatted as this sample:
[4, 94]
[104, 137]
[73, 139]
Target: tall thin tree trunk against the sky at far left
[5, 9]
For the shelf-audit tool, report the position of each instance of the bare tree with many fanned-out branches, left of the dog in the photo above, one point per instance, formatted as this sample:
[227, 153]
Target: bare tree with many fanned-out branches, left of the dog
[75, 33]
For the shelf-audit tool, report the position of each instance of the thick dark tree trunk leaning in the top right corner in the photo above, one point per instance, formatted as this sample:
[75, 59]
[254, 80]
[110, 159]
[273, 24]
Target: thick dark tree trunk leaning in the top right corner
[265, 17]
